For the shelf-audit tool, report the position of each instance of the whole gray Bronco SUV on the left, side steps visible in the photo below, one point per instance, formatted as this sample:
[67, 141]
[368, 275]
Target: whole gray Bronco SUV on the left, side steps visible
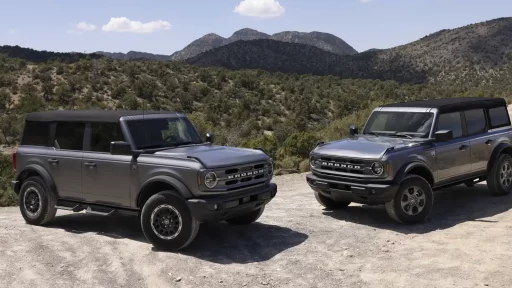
[150, 164]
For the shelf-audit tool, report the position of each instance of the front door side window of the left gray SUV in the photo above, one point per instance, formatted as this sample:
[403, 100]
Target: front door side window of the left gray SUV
[104, 133]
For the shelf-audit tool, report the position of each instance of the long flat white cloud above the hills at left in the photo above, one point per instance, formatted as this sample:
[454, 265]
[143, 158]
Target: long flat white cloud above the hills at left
[123, 24]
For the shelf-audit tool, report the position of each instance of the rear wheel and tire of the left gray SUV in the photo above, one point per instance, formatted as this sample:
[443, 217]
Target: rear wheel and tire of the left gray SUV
[36, 202]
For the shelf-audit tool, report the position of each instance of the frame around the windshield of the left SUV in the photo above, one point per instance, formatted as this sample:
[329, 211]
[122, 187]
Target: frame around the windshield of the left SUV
[128, 132]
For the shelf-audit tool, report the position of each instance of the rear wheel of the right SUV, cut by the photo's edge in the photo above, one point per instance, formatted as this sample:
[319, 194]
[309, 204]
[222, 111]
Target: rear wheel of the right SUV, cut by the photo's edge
[494, 179]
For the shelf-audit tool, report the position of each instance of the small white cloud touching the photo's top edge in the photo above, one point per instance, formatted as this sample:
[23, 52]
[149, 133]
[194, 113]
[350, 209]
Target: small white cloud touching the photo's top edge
[259, 8]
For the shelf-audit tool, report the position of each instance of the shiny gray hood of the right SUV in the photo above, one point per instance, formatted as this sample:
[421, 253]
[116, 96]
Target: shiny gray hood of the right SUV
[363, 146]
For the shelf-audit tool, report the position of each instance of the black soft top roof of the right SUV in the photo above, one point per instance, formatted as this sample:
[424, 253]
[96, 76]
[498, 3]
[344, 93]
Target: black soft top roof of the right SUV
[453, 104]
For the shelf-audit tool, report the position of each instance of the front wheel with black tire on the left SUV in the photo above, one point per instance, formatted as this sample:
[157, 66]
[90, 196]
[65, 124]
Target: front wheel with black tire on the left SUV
[168, 206]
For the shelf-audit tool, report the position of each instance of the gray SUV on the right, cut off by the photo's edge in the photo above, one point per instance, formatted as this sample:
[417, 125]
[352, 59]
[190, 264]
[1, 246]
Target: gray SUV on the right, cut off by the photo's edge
[408, 150]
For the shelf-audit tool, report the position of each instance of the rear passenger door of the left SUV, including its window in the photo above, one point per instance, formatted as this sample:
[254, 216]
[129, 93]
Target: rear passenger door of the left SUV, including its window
[65, 161]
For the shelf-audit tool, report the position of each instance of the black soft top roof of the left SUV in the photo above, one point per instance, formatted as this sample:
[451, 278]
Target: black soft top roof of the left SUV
[88, 115]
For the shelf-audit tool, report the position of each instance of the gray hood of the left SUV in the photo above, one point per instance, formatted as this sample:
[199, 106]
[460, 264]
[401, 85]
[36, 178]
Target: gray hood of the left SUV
[213, 156]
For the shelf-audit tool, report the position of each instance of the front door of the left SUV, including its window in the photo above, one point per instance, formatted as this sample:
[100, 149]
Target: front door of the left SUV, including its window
[105, 177]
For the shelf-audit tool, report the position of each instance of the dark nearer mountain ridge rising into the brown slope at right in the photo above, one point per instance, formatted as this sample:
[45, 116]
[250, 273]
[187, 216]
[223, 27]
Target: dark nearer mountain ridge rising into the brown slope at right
[461, 54]
